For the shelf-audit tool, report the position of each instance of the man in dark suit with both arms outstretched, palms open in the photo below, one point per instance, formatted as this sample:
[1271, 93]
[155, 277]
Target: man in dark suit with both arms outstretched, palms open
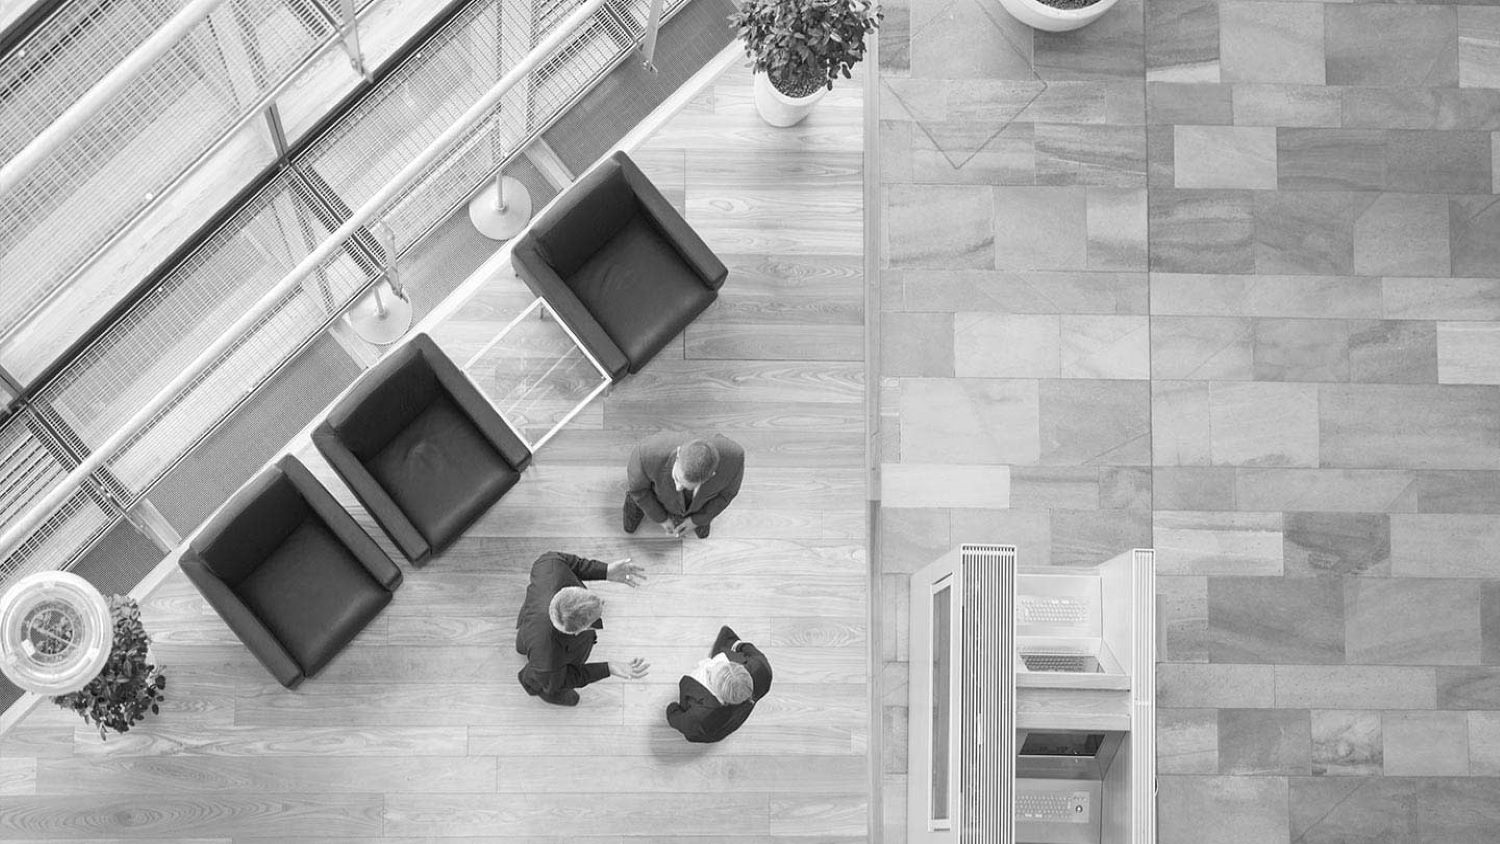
[559, 621]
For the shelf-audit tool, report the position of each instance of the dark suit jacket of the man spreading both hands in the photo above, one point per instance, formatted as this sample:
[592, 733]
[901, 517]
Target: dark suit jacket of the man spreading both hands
[556, 660]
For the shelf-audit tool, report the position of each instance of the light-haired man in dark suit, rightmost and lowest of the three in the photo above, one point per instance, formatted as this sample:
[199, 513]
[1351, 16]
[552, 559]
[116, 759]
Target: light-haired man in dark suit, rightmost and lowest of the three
[721, 693]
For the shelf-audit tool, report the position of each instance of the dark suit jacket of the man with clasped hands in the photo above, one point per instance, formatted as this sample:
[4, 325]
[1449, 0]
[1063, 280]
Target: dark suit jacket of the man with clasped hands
[652, 488]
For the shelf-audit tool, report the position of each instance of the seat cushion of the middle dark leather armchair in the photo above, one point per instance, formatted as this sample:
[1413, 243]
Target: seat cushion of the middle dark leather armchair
[443, 473]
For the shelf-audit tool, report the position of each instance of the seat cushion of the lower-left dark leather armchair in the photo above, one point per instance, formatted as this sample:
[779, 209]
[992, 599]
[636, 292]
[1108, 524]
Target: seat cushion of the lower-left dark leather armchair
[313, 594]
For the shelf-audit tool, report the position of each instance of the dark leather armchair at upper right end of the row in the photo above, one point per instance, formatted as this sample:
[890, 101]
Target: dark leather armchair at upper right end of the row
[620, 266]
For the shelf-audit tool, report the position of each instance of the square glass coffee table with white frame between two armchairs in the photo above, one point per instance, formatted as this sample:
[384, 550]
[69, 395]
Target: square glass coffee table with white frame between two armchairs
[538, 374]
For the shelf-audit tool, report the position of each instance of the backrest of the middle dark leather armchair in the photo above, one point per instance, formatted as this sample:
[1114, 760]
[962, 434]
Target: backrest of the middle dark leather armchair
[386, 401]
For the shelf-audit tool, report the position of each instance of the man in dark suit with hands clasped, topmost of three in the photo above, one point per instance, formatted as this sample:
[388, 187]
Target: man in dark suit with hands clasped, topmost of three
[682, 483]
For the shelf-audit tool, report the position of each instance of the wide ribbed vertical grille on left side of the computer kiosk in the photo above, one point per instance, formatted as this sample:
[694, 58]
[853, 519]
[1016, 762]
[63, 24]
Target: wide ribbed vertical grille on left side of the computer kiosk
[989, 695]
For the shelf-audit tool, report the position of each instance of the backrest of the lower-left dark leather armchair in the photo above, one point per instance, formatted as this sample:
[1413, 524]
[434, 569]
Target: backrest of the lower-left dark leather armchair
[253, 525]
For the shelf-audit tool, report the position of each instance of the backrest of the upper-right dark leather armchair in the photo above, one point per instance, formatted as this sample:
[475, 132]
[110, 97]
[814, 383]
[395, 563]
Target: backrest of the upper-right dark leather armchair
[587, 217]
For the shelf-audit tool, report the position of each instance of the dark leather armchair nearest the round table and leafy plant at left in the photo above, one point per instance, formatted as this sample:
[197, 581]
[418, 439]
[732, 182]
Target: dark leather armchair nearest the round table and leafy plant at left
[290, 572]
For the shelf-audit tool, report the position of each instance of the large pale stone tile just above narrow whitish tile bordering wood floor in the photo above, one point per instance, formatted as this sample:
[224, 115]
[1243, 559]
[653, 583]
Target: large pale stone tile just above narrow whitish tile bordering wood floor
[970, 421]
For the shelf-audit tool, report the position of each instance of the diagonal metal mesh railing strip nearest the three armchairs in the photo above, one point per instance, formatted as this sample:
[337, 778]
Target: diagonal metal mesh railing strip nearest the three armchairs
[251, 298]
